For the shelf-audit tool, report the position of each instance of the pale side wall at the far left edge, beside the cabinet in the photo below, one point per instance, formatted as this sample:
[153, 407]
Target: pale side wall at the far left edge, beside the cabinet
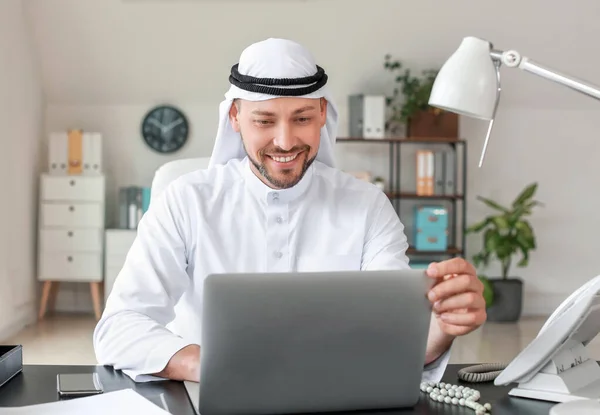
[21, 121]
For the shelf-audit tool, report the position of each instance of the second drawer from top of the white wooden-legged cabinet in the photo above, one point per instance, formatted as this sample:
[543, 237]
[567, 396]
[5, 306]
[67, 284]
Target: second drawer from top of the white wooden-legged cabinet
[85, 215]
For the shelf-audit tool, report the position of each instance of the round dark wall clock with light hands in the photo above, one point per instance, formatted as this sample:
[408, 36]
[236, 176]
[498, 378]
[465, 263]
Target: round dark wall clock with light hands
[165, 129]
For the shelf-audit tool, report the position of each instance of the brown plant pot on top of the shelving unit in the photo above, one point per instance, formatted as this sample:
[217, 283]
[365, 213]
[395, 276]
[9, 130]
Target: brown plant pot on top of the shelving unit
[433, 123]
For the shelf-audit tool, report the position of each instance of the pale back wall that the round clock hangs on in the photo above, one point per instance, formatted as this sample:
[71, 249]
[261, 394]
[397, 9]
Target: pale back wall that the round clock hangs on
[115, 59]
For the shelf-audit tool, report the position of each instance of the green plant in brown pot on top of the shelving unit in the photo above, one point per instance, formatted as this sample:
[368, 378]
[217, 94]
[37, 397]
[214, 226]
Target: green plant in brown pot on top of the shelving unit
[409, 104]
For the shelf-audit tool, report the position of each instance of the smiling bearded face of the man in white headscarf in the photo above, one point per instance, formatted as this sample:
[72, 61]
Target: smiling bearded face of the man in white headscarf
[281, 136]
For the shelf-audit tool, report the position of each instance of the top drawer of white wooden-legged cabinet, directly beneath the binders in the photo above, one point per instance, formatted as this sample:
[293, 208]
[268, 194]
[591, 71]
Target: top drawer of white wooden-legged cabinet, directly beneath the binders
[70, 188]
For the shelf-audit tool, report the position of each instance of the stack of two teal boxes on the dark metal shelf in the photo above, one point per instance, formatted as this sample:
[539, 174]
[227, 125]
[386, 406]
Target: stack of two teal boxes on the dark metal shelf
[431, 228]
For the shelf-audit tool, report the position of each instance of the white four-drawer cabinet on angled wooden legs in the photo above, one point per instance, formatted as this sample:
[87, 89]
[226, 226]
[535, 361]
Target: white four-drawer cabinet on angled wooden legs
[71, 231]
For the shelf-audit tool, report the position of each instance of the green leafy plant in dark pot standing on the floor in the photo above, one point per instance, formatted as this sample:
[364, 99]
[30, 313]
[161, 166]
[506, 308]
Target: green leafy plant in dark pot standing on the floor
[506, 234]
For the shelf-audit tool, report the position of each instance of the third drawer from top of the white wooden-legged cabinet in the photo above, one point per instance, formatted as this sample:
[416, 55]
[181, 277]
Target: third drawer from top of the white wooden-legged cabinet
[76, 239]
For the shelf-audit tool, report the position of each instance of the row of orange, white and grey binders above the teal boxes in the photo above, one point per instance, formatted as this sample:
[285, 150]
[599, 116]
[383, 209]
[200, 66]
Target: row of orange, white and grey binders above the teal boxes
[435, 173]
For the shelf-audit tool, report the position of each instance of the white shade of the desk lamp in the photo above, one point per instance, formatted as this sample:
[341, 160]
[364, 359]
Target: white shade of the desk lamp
[467, 83]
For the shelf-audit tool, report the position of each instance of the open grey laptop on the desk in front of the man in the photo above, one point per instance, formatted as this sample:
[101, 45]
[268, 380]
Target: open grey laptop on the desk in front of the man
[276, 343]
